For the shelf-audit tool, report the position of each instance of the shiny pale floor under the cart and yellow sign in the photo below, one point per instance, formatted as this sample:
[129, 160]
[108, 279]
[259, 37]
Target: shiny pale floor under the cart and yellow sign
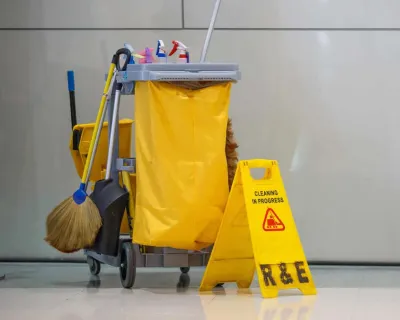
[68, 292]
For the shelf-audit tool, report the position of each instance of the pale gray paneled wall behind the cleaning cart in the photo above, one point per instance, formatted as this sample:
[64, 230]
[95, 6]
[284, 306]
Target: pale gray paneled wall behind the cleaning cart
[319, 93]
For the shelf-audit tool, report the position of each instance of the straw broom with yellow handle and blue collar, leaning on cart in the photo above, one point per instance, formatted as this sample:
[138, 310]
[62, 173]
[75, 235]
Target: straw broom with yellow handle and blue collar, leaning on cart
[75, 222]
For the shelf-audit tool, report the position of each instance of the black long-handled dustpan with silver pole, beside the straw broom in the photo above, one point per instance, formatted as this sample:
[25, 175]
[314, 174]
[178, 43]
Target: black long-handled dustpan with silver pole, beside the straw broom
[110, 198]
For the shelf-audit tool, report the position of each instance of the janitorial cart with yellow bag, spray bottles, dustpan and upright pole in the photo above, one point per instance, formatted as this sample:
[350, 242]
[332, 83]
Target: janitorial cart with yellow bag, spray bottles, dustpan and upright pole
[161, 206]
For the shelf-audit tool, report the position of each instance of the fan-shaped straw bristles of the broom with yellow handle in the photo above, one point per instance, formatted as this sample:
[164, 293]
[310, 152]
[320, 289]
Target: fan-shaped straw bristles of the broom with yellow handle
[72, 227]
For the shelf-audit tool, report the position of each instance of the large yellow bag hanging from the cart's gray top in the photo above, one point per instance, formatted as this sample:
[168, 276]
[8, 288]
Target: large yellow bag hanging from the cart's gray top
[182, 177]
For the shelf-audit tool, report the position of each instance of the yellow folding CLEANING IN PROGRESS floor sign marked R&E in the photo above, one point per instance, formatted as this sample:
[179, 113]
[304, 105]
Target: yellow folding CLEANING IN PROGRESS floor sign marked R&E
[258, 232]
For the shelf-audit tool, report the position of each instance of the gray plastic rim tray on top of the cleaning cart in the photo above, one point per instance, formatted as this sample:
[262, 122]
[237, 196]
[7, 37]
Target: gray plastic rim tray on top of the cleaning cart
[180, 72]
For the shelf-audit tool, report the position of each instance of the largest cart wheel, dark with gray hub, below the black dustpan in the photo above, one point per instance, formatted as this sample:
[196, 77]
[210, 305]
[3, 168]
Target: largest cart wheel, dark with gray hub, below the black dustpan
[127, 270]
